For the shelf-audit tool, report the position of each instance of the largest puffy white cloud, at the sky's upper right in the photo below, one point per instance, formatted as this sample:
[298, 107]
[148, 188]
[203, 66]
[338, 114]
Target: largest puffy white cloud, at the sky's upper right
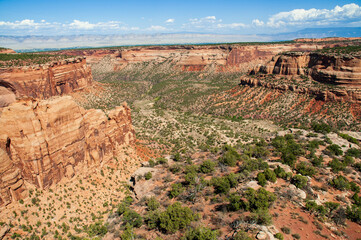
[315, 16]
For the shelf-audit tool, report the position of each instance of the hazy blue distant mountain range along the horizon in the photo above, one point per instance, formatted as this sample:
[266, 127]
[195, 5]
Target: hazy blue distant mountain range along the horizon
[38, 43]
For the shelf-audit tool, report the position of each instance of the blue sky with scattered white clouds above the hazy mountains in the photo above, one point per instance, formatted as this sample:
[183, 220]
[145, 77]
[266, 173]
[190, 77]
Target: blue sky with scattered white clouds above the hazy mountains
[66, 17]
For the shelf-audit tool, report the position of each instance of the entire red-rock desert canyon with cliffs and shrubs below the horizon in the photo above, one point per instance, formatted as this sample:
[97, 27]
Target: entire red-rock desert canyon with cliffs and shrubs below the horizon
[213, 141]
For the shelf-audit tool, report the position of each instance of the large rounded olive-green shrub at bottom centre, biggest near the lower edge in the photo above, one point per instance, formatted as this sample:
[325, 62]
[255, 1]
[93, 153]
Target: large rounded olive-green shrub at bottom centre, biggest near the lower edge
[175, 217]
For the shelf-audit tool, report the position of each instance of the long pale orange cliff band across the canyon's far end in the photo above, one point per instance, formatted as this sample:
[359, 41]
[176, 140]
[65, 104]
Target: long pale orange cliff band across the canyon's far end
[235, 57]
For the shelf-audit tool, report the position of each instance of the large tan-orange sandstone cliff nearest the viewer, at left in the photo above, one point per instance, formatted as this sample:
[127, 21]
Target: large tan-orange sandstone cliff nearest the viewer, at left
[45, 140]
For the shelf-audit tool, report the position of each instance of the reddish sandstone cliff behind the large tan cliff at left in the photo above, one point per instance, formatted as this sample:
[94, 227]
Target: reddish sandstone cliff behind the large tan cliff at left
[47, 80]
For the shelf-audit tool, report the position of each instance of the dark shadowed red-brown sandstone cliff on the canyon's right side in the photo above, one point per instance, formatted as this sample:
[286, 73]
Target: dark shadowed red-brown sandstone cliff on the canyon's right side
[344, 70]
